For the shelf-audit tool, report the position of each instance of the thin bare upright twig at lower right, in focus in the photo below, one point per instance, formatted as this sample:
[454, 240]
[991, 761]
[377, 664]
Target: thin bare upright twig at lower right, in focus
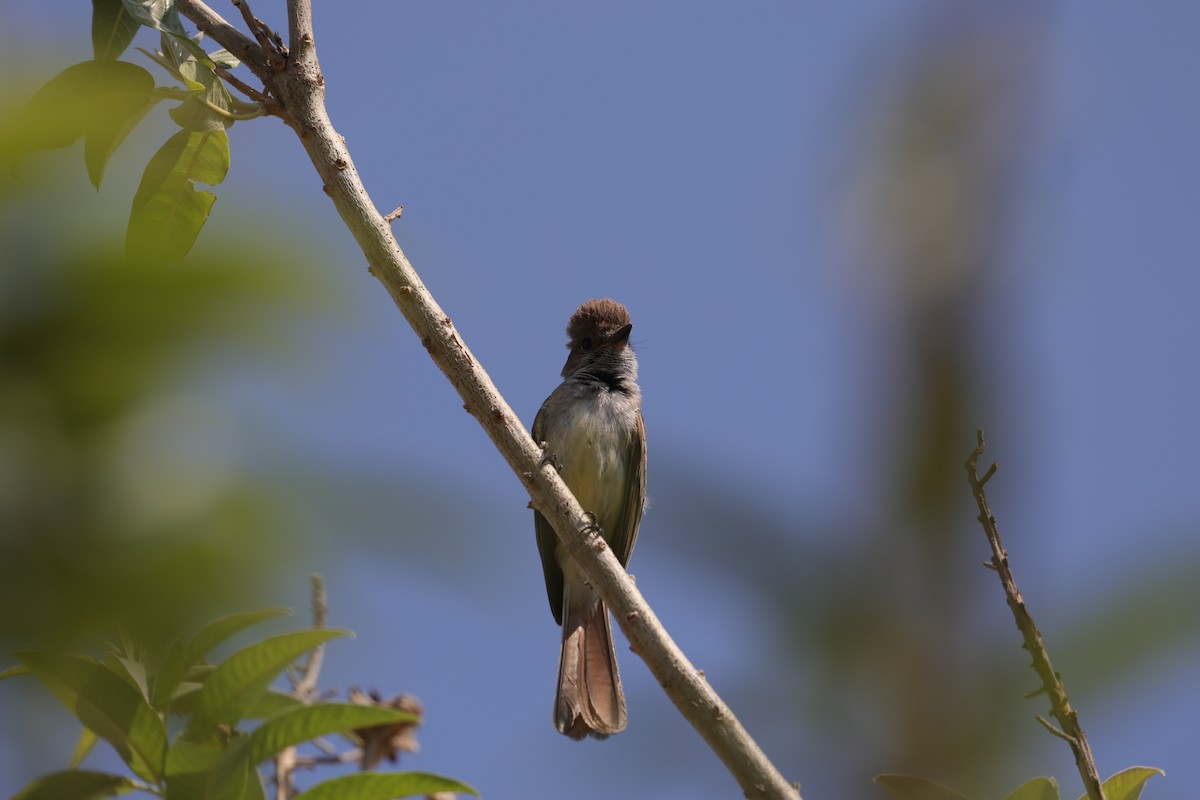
[1052, 684]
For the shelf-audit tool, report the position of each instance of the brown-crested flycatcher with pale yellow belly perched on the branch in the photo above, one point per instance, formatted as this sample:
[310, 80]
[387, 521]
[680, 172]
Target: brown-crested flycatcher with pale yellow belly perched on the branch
[593, 430]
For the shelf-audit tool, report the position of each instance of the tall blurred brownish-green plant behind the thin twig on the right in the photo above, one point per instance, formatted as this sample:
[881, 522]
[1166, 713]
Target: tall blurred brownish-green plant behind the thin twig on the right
[886, 653]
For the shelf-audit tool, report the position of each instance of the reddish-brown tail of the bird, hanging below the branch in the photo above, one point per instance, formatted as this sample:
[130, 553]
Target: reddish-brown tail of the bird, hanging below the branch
[590, 701]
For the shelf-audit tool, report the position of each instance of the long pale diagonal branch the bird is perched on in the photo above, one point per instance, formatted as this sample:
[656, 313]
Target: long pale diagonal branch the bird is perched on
[301, 88]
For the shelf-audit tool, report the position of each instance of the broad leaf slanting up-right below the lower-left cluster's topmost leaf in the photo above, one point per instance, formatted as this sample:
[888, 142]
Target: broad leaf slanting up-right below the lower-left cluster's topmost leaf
[239, 682]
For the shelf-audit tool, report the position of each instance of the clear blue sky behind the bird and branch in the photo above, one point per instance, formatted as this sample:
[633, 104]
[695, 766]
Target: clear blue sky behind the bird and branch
[694, 161]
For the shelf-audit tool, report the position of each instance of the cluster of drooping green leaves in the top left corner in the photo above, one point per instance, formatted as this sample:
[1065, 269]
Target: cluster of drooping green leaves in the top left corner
[101, 101]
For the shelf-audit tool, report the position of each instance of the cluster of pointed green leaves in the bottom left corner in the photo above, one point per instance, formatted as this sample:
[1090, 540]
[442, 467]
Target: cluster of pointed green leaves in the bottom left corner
[135, 695]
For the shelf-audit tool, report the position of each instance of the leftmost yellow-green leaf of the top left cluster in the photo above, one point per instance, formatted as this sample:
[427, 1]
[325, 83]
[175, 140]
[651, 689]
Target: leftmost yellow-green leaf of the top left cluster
[93, 97]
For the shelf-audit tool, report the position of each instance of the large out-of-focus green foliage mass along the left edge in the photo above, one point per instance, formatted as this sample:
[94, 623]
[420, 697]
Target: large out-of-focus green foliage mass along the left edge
[125, 495]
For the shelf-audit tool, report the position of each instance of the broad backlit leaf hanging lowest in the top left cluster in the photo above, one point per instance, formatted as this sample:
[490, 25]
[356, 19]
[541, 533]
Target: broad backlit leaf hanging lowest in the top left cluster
[169, 210]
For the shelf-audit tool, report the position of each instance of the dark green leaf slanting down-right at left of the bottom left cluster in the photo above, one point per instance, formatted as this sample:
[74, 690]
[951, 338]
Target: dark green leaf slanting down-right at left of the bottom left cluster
[106, 705]
